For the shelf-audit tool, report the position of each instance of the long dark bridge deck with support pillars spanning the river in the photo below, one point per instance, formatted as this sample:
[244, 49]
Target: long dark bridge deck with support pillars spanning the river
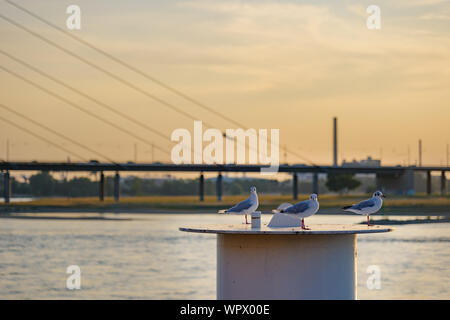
[395, 179]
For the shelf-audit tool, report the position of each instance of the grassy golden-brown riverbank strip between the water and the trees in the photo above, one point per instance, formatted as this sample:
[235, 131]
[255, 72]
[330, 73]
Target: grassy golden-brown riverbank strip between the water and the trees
[329, 204]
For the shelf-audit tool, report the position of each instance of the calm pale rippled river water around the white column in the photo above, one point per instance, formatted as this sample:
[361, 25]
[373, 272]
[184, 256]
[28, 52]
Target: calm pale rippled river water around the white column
[148, 258]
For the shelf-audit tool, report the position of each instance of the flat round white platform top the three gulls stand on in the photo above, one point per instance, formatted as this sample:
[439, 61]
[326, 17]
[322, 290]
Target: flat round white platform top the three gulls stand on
[314, 229]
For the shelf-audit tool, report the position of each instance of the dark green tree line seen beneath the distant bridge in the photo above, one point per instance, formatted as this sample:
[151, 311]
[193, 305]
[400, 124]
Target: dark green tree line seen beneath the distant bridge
[44, 184]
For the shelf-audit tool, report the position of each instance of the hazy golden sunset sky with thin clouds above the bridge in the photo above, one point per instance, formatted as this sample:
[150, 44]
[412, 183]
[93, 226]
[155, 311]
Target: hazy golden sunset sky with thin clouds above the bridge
[289, 65]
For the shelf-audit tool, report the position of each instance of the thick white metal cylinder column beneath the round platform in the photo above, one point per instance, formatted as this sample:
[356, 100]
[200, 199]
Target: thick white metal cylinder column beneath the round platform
[286, 267]
